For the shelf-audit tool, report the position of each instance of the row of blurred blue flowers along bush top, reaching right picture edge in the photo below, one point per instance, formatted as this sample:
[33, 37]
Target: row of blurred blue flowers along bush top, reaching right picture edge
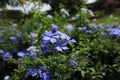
[94, 28]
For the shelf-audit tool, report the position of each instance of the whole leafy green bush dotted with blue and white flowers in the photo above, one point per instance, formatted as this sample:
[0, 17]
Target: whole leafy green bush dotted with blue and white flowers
[45, 47]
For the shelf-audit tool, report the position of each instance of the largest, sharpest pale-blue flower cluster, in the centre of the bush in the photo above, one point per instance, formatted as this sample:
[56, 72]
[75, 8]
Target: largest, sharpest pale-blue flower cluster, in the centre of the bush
[55, 38]
